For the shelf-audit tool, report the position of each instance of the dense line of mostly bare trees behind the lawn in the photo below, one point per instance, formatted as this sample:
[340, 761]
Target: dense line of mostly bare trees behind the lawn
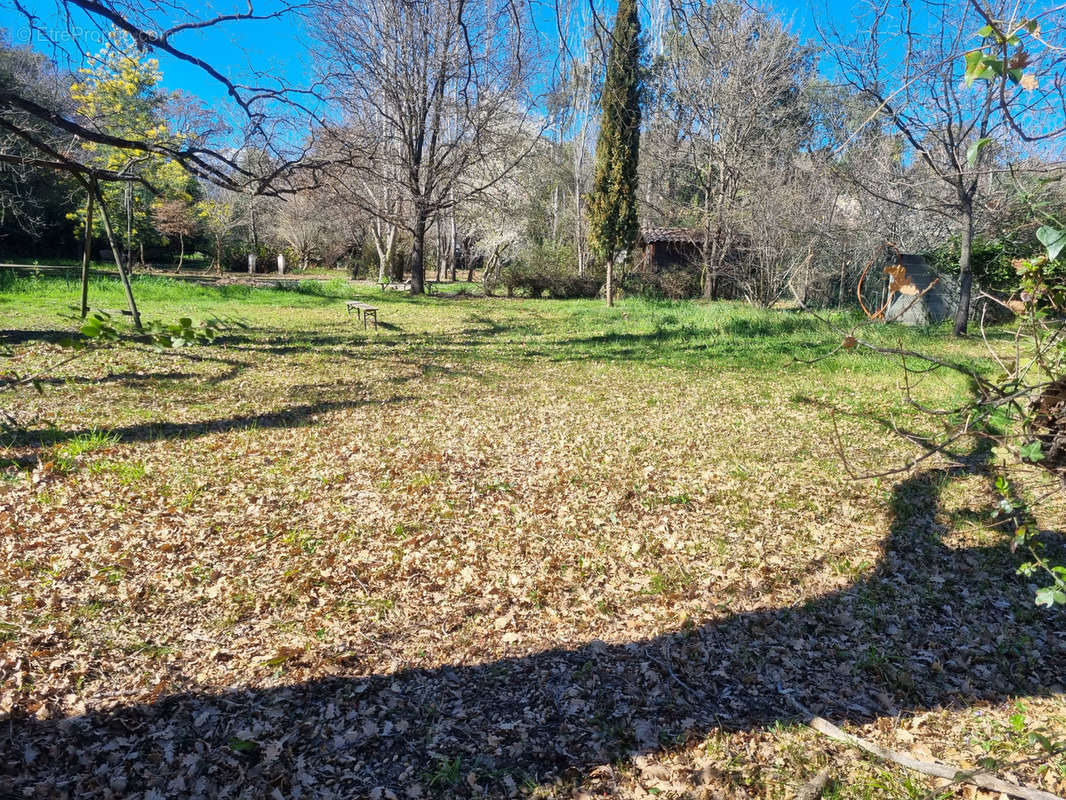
[457, 143]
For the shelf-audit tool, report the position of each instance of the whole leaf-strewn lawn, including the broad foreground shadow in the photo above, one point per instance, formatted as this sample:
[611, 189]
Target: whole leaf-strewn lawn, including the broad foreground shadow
[496, 549]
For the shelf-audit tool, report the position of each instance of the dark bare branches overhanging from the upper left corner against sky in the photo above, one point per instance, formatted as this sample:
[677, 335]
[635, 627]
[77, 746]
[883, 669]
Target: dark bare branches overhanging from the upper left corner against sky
[267, 113]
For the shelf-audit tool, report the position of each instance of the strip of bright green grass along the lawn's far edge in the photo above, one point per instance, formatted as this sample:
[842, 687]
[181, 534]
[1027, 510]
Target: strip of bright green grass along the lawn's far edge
[639, 332]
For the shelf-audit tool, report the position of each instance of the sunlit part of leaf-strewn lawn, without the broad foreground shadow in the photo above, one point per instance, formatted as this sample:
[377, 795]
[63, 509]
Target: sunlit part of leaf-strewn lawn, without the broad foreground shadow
[475, 481]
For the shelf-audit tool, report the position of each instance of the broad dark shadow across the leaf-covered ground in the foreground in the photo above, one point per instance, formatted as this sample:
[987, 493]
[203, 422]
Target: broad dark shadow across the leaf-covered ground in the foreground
[930, 628]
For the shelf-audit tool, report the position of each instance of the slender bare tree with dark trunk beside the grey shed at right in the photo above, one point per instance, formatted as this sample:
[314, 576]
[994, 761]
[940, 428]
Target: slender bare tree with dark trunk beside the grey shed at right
[908, 59]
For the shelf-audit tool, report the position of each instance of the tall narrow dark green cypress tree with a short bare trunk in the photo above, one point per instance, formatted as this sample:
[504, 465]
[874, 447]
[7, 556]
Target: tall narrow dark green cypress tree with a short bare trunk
[612, 206]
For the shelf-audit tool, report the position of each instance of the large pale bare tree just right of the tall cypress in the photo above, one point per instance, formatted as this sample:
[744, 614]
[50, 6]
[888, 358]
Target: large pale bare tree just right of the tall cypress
[729, 130]
